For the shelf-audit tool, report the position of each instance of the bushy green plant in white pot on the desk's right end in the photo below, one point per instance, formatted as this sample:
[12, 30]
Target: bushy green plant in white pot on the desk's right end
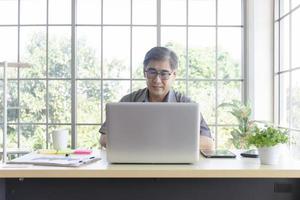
[268, 141]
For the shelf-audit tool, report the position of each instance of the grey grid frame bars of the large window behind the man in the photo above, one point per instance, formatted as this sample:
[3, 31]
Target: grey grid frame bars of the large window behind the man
[73, 80]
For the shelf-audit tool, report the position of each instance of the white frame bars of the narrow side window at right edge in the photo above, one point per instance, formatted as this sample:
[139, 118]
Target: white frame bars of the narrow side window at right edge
[280, 70]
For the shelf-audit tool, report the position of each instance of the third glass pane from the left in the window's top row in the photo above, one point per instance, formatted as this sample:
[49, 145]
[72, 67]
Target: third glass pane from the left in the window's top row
[60, 11]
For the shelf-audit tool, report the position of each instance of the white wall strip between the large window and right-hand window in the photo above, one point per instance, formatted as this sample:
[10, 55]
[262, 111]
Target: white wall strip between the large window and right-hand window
[259, 57]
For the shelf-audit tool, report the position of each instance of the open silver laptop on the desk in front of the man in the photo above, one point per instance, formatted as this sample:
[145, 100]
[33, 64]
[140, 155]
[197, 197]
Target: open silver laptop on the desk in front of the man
[153, 132]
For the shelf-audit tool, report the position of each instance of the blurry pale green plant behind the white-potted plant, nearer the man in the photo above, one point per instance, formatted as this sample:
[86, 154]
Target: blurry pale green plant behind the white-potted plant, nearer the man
[242, 113]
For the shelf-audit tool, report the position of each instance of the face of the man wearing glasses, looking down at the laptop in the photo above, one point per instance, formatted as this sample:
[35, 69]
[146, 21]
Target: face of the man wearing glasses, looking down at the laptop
[157, 84]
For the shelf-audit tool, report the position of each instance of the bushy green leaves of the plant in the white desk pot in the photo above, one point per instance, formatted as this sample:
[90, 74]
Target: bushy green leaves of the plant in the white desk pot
[267, 137]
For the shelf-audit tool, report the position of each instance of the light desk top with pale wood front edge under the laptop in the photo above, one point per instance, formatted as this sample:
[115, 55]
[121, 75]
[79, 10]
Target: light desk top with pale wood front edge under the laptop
[205, 168]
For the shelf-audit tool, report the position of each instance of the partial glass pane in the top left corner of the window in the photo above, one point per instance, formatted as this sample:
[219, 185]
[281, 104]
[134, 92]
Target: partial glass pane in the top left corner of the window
[9, 12]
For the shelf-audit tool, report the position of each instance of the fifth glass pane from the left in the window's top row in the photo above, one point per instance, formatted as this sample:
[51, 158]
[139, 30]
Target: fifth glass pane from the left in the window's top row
[116, 11]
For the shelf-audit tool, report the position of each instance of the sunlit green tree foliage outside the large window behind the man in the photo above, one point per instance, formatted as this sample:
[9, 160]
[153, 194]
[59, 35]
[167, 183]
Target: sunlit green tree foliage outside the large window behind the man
[33, 106]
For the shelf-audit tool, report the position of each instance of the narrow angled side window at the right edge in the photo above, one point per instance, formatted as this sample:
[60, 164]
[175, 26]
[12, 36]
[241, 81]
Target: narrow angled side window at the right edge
[287, 67]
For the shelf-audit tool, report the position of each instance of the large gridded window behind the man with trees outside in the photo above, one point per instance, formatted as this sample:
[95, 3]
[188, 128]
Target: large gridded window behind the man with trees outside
[85, 53]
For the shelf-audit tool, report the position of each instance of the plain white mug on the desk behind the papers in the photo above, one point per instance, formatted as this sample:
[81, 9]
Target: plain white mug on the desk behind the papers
[60, 139]
